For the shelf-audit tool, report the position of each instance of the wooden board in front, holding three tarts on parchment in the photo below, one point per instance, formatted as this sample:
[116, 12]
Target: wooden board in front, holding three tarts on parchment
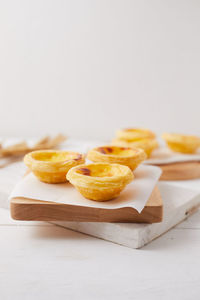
[29, 210]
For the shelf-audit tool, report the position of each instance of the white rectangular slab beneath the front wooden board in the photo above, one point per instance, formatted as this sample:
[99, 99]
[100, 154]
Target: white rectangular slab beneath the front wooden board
[179, 203]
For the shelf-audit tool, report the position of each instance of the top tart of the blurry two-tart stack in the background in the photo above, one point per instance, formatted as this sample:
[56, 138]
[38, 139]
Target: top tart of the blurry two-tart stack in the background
[134, 134]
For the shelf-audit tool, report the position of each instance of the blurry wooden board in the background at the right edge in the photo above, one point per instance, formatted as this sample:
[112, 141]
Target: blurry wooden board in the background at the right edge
[180, 170]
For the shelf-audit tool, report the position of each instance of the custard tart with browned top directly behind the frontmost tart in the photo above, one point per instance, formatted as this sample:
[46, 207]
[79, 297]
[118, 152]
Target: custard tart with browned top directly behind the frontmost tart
[130, 157]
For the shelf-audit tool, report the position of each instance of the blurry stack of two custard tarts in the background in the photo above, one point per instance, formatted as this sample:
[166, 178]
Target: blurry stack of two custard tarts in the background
[136, 137]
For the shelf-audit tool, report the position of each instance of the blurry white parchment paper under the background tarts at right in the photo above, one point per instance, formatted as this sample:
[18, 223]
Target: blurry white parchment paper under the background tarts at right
[163, 155]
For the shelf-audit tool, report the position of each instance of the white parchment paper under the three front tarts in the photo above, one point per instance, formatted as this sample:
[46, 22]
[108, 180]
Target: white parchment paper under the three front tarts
[135, 195]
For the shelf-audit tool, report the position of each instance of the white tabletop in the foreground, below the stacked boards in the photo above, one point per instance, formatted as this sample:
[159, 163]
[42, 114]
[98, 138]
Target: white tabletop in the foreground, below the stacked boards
[43, 261]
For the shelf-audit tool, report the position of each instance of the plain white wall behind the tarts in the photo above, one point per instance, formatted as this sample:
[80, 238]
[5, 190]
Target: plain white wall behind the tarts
[88, 67]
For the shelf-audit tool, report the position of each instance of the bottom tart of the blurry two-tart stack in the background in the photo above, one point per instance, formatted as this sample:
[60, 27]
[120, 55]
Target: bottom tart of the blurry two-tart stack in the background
[148, 145]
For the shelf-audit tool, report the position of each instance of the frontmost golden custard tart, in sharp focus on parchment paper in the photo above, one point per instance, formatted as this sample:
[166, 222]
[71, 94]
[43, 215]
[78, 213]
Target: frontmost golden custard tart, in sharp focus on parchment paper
[100, 181]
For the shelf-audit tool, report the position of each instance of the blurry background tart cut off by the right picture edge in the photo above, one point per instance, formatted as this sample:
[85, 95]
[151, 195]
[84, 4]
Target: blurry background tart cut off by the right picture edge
[182, 143]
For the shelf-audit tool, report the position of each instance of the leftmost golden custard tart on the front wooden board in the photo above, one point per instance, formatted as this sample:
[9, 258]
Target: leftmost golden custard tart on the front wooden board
[51, 166]
